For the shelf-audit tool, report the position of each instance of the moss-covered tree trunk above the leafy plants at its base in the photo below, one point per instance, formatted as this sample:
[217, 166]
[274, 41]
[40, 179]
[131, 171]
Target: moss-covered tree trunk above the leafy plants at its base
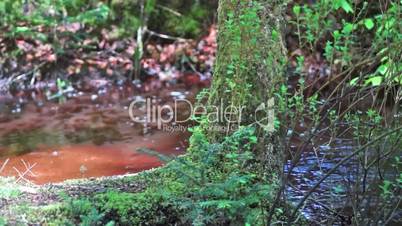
[248, 71]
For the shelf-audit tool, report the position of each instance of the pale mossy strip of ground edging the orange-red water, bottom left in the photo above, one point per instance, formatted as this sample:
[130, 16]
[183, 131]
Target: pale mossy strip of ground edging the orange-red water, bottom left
[18, 200]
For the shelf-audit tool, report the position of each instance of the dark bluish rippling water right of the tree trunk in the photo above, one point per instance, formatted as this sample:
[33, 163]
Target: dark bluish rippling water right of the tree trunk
[345, 192]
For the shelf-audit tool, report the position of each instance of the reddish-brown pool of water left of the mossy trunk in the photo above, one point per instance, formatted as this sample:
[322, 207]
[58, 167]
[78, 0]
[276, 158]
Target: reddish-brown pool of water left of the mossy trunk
[86, 136]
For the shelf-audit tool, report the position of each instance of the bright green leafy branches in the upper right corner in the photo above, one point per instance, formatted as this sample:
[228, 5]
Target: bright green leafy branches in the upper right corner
[351, 34]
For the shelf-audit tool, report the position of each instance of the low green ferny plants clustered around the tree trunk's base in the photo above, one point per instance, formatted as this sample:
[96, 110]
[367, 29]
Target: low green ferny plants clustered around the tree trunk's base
[215, 184]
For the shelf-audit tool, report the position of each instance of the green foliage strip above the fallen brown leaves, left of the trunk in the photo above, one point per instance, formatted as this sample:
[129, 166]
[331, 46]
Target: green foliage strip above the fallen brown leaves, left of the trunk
[30, 18]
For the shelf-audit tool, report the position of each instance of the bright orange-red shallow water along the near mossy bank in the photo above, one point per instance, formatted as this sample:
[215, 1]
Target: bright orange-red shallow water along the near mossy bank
[88, 160]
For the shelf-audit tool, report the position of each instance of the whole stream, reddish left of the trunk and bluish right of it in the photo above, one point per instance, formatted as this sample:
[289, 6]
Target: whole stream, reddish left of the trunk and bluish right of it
[86, 134]
